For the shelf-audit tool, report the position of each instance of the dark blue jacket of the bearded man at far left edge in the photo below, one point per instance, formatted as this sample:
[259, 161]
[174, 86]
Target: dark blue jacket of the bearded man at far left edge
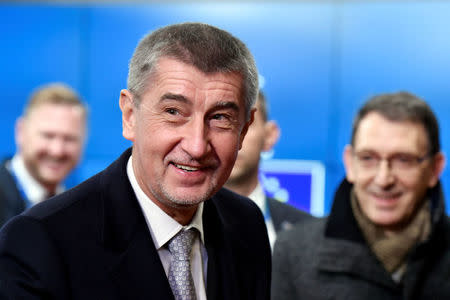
[11, 201]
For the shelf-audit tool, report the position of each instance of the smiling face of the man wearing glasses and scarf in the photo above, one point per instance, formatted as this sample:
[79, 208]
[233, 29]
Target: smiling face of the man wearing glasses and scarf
[389, 193]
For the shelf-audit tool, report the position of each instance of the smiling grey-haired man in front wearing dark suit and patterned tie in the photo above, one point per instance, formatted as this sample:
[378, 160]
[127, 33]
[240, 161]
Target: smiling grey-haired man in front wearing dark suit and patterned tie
[119, 234]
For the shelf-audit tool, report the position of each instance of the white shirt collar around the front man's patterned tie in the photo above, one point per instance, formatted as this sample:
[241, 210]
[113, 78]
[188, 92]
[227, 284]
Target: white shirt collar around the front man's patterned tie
[162, 226]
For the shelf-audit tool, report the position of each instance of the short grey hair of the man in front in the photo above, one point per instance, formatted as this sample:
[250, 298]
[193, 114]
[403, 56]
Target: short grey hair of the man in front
[203, 46]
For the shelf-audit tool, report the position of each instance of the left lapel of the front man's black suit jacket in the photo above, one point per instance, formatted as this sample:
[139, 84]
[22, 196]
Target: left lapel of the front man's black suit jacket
[132, 260]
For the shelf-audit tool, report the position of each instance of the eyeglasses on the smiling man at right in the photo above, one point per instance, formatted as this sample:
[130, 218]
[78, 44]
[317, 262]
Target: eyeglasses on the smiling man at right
[397, 162]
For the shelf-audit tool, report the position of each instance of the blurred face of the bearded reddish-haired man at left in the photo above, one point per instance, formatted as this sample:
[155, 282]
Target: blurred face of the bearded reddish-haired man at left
[50, 140]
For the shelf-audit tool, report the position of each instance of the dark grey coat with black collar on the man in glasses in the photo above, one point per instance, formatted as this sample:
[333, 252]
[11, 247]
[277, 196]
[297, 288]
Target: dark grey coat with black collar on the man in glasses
[328, 258]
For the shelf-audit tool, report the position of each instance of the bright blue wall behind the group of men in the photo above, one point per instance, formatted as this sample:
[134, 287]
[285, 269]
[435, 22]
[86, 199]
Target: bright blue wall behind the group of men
[320, 61]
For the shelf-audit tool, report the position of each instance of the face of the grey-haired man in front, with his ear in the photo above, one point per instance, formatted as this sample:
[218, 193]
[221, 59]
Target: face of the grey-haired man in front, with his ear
[186, 133]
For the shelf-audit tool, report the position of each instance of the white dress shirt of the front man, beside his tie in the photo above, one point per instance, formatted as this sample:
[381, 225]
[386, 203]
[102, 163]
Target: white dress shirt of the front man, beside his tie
[163, 228]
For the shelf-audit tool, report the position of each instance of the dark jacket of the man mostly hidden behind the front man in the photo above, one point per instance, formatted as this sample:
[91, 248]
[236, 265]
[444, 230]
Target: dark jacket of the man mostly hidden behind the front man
[285, 216]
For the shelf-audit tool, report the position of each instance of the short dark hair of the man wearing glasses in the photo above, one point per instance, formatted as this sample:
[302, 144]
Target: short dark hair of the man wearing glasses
[402, 106]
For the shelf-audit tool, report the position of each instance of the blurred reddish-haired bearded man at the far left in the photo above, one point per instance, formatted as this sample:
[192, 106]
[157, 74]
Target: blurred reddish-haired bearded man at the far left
[50, 136]
